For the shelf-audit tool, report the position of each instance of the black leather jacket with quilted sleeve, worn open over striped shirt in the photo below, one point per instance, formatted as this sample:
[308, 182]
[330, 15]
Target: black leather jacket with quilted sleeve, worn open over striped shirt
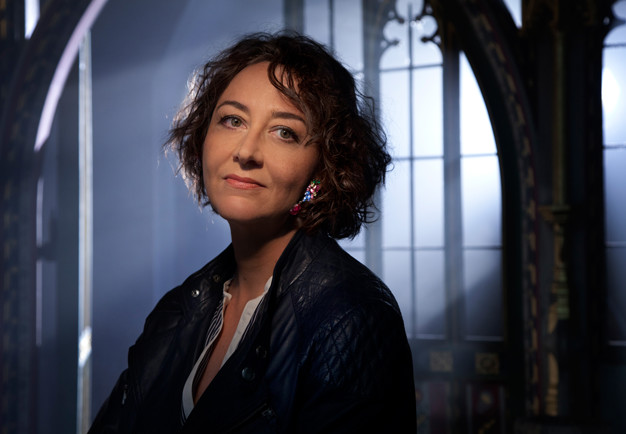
[327, 353]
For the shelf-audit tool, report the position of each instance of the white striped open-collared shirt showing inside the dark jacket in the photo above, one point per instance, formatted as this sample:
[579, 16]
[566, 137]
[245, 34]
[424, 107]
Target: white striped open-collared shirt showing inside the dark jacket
[214, 330]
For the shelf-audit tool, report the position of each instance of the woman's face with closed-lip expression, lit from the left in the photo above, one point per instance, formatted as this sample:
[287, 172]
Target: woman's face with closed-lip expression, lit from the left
[255, 162]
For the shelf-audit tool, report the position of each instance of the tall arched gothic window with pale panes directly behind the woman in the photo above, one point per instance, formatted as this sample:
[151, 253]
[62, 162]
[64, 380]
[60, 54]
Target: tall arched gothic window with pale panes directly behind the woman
[439, 238]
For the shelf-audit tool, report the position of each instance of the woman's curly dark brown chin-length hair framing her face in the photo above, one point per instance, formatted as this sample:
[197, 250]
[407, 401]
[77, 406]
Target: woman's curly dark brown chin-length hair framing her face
[341, 121]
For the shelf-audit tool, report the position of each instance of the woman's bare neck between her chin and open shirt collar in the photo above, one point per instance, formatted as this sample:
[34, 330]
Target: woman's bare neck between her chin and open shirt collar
[256, 254]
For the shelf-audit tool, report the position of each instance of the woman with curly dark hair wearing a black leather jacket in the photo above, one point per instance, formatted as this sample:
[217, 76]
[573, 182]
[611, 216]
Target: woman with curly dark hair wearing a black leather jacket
[283, 331]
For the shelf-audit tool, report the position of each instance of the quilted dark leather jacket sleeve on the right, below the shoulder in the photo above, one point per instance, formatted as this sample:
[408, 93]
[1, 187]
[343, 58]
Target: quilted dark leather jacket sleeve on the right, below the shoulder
[359, 375]
